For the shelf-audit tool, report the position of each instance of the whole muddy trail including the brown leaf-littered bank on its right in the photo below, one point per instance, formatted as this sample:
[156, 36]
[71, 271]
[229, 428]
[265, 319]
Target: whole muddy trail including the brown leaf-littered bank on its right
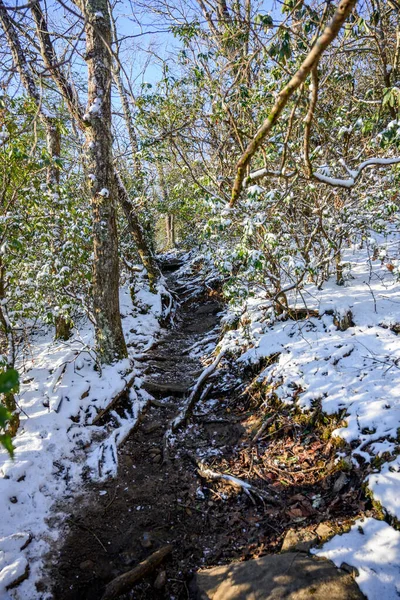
[158, 498]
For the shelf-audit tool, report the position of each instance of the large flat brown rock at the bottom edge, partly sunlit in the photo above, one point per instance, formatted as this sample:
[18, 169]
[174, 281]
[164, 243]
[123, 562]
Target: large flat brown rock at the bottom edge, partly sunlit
[289, 576]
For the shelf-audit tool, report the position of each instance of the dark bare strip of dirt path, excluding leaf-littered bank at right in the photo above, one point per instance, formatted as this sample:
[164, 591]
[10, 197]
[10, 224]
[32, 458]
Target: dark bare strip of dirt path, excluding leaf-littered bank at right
[146, 505]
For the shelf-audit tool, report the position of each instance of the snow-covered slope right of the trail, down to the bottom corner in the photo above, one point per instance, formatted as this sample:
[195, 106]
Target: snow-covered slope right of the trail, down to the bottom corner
[355, 372]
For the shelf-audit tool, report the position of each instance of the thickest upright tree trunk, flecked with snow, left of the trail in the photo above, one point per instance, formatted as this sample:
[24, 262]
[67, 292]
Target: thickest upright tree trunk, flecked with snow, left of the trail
[109, 336]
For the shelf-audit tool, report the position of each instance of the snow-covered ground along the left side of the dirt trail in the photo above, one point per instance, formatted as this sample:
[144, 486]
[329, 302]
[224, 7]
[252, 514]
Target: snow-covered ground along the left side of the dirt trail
[60, 394]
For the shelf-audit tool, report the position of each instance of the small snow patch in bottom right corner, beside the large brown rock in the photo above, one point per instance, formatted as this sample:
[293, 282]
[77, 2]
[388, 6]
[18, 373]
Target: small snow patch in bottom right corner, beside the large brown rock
[372, 547]
